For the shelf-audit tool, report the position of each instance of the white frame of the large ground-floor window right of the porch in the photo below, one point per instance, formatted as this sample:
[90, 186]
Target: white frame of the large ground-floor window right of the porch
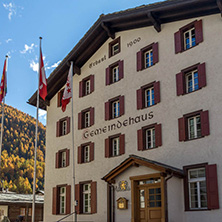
[197, 181]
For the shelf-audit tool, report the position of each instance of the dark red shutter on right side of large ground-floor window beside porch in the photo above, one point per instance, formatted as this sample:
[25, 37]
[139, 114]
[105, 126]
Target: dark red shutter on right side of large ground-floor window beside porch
[212, 187]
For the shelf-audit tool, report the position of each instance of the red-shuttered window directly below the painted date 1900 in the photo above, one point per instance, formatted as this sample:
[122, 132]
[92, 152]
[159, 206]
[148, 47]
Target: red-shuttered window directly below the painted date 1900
[147, 56]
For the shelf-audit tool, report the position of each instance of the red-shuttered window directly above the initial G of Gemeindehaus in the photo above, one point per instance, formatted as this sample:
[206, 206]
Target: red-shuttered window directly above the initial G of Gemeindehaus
[86, 118]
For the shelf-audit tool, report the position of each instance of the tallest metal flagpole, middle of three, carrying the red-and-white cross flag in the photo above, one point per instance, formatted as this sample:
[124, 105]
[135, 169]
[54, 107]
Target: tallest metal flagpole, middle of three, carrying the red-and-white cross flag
[36, 136]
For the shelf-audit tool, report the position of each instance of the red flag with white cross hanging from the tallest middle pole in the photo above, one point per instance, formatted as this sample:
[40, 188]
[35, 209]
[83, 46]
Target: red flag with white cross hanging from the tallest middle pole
[42, 78]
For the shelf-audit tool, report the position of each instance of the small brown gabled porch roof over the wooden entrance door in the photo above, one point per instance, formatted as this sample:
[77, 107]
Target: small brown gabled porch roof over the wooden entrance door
[134, 160]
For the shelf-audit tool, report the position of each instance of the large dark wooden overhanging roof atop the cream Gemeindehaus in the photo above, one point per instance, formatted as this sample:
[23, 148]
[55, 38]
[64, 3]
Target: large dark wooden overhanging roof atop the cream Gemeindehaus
[107, 25]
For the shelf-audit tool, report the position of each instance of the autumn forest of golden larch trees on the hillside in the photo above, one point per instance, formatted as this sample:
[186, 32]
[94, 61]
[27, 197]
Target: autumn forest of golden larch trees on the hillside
[17, 163]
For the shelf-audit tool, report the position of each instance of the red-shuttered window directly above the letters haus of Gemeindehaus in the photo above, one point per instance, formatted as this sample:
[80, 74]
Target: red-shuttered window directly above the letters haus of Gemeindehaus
[148, 95]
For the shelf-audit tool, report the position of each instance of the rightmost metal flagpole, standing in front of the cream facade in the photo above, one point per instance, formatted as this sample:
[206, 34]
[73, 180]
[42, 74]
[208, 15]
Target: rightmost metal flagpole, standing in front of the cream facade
[73, 151]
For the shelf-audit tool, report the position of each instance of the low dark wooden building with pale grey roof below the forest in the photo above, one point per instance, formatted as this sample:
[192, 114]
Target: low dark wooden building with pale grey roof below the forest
[14, 205]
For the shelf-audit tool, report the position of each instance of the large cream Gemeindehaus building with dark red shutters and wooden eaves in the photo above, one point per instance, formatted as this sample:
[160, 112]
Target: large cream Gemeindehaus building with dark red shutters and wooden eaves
[147, 125]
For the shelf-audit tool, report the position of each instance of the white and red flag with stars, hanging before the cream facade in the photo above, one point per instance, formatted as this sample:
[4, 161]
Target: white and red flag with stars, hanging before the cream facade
[67, 94]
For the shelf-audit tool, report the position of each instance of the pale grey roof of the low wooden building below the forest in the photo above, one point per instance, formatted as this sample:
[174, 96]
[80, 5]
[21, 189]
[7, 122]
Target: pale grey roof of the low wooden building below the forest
[20, 198]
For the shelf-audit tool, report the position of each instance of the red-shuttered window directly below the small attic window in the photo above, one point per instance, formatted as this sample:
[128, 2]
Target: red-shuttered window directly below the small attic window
[114, 72]
